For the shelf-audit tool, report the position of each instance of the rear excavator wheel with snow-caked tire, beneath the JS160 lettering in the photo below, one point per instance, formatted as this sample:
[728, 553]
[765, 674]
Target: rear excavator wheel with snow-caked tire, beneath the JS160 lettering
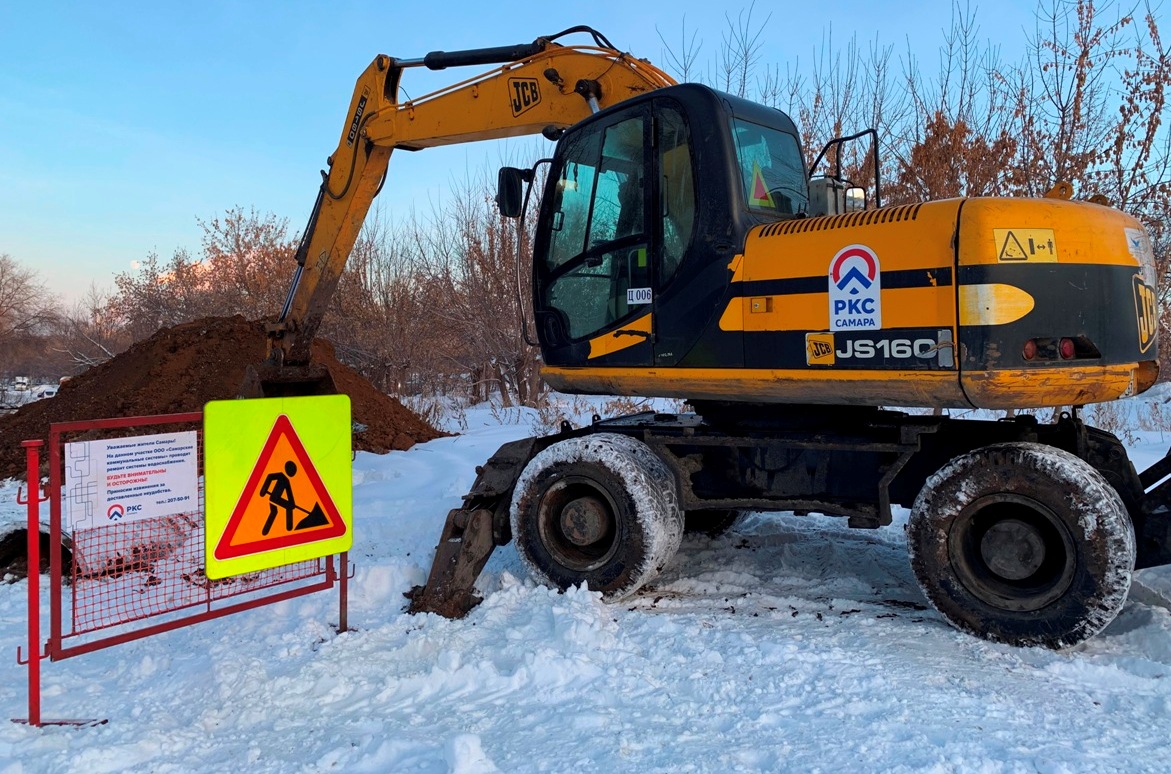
[1023, 544]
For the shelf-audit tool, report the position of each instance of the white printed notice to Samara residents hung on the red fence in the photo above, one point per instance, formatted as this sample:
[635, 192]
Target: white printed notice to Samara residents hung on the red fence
[127, 480]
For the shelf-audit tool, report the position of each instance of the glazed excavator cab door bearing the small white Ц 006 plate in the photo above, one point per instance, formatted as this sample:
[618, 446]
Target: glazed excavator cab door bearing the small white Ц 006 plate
[595, 279]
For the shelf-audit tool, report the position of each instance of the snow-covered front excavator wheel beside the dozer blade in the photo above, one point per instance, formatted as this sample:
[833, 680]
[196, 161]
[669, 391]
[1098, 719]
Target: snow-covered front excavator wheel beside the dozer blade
[601, 510]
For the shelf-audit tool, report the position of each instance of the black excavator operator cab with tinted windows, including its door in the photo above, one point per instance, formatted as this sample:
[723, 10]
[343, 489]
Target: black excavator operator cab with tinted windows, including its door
[646, 207]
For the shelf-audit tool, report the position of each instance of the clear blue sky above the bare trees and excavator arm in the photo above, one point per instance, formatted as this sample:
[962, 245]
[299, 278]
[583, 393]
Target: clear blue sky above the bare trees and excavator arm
[122, 124]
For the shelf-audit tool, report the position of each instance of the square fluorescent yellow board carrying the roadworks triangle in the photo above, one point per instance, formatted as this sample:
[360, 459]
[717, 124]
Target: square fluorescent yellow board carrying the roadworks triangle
[283, 511]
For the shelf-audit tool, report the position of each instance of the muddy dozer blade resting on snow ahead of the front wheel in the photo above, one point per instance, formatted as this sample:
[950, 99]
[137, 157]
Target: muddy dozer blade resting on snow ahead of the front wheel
[463, 552]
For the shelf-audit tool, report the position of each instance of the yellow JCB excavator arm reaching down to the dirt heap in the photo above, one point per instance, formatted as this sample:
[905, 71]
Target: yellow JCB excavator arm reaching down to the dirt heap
[542, 87]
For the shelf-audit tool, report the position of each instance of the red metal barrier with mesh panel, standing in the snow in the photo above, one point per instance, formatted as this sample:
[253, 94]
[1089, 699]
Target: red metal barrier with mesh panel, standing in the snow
[132, 580]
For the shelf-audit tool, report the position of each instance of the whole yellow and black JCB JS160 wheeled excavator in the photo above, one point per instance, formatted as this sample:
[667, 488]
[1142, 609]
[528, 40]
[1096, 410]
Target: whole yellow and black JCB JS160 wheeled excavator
[682, 251]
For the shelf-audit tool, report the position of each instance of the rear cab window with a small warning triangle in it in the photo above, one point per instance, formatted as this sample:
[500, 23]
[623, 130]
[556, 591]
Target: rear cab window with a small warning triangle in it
[771, 169]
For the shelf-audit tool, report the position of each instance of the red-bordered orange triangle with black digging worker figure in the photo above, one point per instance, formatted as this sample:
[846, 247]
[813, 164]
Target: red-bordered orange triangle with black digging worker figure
[284, 504]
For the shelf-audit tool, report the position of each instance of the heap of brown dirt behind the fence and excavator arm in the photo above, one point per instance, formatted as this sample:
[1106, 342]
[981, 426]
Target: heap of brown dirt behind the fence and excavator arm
[180, 369]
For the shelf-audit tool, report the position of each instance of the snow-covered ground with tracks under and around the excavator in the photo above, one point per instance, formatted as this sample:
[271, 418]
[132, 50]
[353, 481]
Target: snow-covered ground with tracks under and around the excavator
[790, 645]
